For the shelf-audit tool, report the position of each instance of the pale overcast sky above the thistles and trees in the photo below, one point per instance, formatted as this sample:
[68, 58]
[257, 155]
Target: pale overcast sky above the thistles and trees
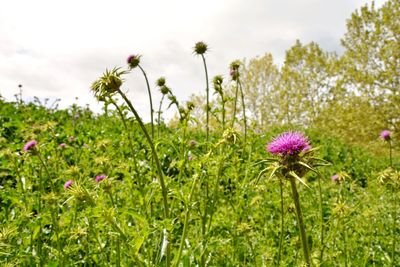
[57, 48]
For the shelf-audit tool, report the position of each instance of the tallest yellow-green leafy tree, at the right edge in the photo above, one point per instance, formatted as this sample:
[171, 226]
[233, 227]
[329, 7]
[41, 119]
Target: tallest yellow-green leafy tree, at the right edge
[371, 61]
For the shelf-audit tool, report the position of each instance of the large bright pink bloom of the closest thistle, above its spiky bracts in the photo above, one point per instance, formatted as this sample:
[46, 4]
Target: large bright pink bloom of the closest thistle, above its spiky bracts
[289, 143]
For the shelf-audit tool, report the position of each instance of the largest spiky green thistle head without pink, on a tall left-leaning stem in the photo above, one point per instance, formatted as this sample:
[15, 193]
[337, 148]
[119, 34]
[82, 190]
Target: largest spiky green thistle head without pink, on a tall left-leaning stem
[108, 84]
